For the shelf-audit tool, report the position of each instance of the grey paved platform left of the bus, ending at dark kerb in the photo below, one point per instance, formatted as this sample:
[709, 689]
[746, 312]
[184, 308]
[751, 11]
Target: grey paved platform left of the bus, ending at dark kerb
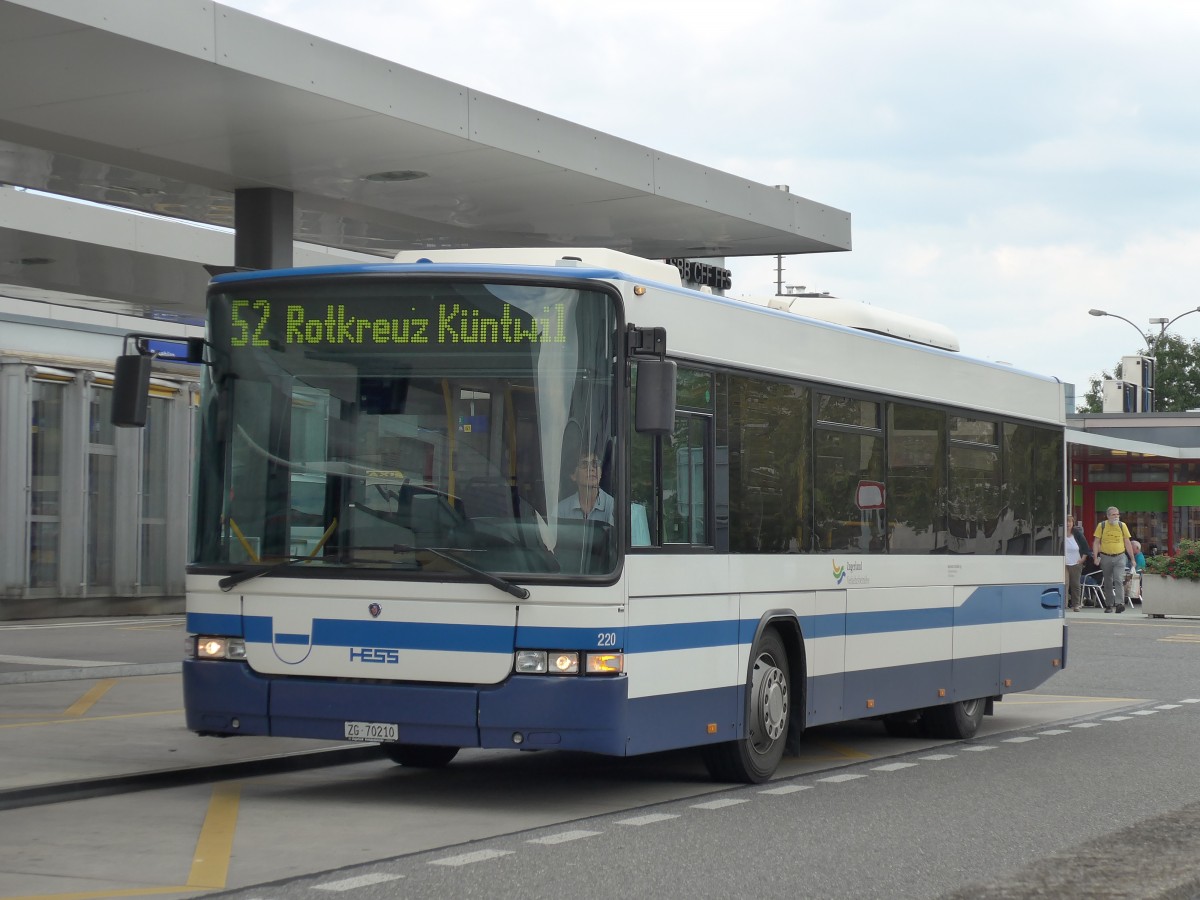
[94, 706]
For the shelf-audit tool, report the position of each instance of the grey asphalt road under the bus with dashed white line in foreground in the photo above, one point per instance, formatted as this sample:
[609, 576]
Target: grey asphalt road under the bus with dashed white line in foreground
[1084, 789]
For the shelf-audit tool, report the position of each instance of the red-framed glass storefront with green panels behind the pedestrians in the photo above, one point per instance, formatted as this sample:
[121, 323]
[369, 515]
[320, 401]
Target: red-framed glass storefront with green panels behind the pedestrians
[1159, 499]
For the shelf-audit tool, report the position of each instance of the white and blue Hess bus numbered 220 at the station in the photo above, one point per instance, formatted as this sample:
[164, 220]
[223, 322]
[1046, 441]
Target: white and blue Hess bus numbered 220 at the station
[794, 523]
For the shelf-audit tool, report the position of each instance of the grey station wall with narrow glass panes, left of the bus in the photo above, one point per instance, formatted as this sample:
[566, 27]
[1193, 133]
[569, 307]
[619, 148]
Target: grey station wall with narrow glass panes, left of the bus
[93, 519]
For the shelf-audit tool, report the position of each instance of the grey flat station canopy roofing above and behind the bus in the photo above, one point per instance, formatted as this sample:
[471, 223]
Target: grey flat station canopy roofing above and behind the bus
[170, 106]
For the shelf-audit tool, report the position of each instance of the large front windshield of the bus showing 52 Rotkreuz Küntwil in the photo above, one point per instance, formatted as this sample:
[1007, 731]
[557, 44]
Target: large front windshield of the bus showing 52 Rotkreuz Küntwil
[361, 421]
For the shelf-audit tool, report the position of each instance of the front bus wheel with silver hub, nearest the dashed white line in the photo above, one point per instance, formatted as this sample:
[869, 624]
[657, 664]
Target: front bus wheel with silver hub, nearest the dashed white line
[754, 759]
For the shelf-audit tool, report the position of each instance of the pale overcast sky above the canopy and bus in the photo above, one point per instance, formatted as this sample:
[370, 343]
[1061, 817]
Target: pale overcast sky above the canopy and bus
[1007, 166]
